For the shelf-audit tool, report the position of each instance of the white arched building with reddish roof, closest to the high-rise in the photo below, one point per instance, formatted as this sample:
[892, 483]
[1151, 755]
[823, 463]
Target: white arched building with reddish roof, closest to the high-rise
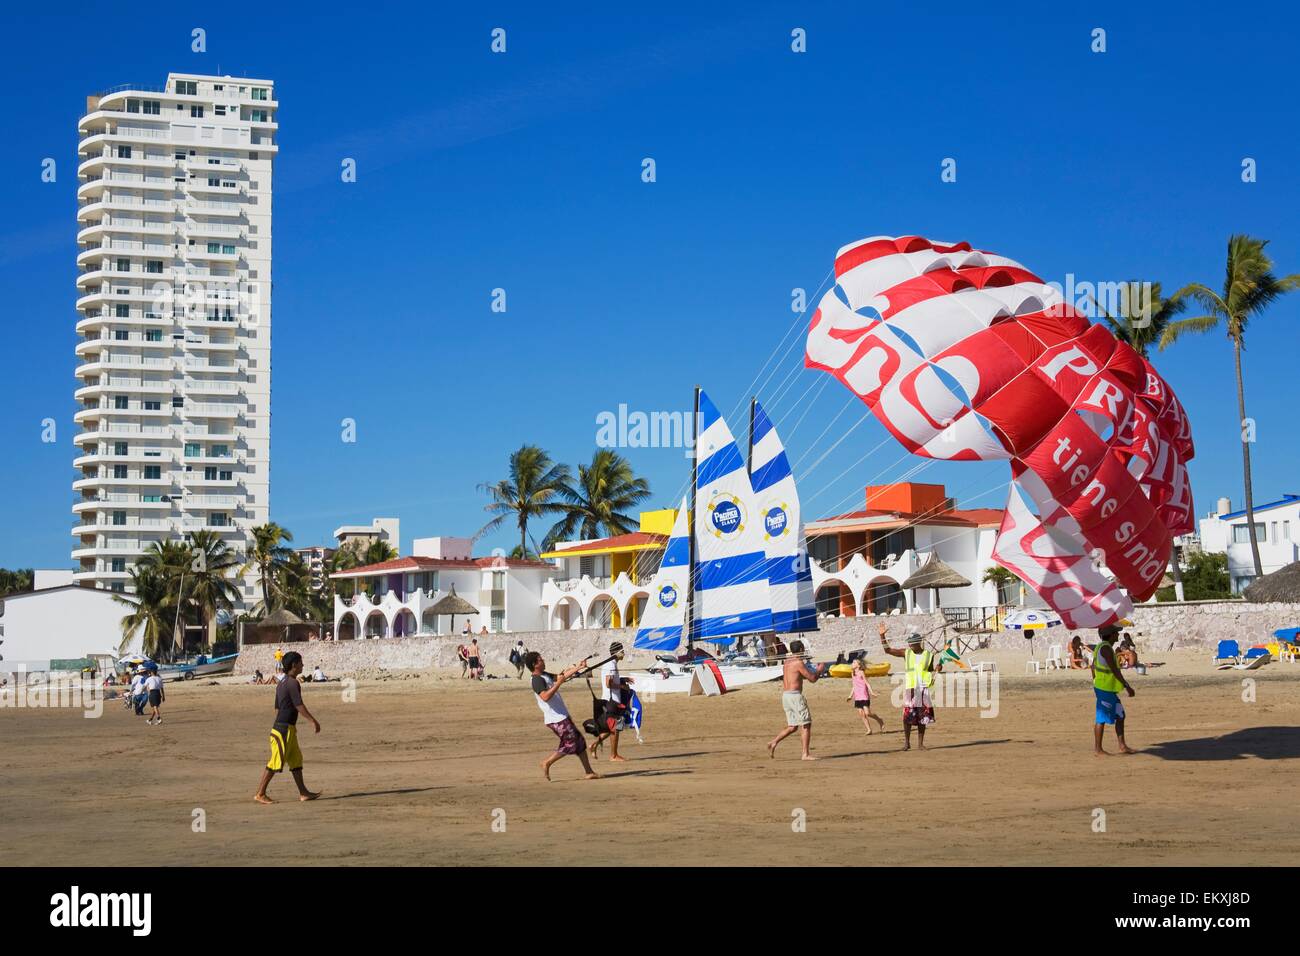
[396, 599]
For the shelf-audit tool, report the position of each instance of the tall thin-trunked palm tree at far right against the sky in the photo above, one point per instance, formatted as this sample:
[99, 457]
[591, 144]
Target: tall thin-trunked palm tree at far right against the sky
[1250, 287]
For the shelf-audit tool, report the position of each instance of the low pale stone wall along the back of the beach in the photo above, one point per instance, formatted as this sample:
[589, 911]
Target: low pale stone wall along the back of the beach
[1194, 625]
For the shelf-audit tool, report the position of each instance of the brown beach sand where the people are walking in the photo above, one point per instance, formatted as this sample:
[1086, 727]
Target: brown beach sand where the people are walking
[418, 772]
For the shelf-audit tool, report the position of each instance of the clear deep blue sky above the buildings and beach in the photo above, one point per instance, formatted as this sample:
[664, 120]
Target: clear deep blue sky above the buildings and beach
[523, 171]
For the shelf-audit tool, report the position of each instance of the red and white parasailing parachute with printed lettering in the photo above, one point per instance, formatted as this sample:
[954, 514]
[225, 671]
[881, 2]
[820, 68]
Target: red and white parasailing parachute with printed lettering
[968, 356]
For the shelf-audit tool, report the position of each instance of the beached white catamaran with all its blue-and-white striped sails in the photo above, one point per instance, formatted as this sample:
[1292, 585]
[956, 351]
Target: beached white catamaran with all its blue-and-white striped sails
[740, 570]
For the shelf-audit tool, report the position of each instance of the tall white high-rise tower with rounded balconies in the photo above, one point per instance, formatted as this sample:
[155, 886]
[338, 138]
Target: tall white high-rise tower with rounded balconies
[175, 319]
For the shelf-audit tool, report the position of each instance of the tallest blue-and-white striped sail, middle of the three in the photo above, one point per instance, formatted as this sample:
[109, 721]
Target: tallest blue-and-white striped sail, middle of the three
[731, 563]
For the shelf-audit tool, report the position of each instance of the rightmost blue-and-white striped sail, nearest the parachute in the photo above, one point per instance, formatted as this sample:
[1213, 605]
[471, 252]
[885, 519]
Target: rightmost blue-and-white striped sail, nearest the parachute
[790, 577]
